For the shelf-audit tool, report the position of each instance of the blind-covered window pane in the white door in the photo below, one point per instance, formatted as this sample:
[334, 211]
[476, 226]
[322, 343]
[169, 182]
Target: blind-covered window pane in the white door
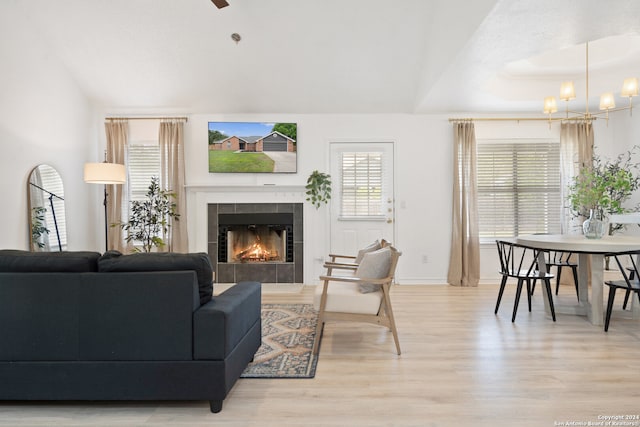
[362, 178]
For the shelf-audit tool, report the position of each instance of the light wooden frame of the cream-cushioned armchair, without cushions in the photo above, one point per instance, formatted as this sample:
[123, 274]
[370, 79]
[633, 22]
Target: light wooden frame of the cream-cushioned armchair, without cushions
[384, 316]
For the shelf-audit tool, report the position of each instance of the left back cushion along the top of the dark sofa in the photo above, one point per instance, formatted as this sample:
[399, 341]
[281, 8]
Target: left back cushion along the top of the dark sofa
[18, 261]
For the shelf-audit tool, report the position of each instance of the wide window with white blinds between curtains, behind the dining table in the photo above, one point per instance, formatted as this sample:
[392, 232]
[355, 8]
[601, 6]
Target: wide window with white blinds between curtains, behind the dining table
[518, 187]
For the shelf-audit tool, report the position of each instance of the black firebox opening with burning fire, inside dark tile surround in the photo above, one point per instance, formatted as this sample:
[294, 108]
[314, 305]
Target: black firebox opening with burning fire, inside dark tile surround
[266, 237]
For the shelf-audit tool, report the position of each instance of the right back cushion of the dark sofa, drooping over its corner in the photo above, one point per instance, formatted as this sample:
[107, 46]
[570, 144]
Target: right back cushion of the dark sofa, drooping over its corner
[114, 261]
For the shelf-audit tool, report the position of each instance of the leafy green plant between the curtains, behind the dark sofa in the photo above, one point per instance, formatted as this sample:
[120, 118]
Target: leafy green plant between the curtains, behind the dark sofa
[149, 218]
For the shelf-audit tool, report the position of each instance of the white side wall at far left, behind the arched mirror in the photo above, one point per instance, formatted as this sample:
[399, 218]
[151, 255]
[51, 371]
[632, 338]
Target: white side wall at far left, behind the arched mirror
[44, 118]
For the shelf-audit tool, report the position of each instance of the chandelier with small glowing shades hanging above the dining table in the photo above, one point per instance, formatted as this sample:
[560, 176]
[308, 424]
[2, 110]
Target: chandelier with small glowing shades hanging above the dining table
[607, 100]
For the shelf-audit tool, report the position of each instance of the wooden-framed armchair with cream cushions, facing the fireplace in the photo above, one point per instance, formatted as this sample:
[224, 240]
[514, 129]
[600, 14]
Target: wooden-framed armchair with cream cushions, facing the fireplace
[362, 297]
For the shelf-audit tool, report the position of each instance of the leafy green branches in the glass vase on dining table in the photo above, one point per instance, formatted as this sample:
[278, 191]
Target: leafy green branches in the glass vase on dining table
[605, 186]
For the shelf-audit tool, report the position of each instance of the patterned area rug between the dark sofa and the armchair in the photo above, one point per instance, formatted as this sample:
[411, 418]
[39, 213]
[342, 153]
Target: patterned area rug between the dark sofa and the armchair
[288, 331]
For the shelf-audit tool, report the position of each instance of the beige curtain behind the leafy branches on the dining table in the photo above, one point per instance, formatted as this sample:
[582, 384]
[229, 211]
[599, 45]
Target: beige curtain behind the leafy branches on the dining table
[576, 151]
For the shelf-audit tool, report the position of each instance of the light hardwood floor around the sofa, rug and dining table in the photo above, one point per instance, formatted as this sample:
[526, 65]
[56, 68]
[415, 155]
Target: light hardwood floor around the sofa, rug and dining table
[461, 366]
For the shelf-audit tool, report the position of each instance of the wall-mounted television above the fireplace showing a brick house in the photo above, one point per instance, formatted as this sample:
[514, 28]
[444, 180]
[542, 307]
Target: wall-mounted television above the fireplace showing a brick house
[252, 147]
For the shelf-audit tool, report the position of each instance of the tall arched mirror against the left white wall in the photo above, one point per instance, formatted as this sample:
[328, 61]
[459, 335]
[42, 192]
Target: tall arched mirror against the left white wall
[47, 224]
